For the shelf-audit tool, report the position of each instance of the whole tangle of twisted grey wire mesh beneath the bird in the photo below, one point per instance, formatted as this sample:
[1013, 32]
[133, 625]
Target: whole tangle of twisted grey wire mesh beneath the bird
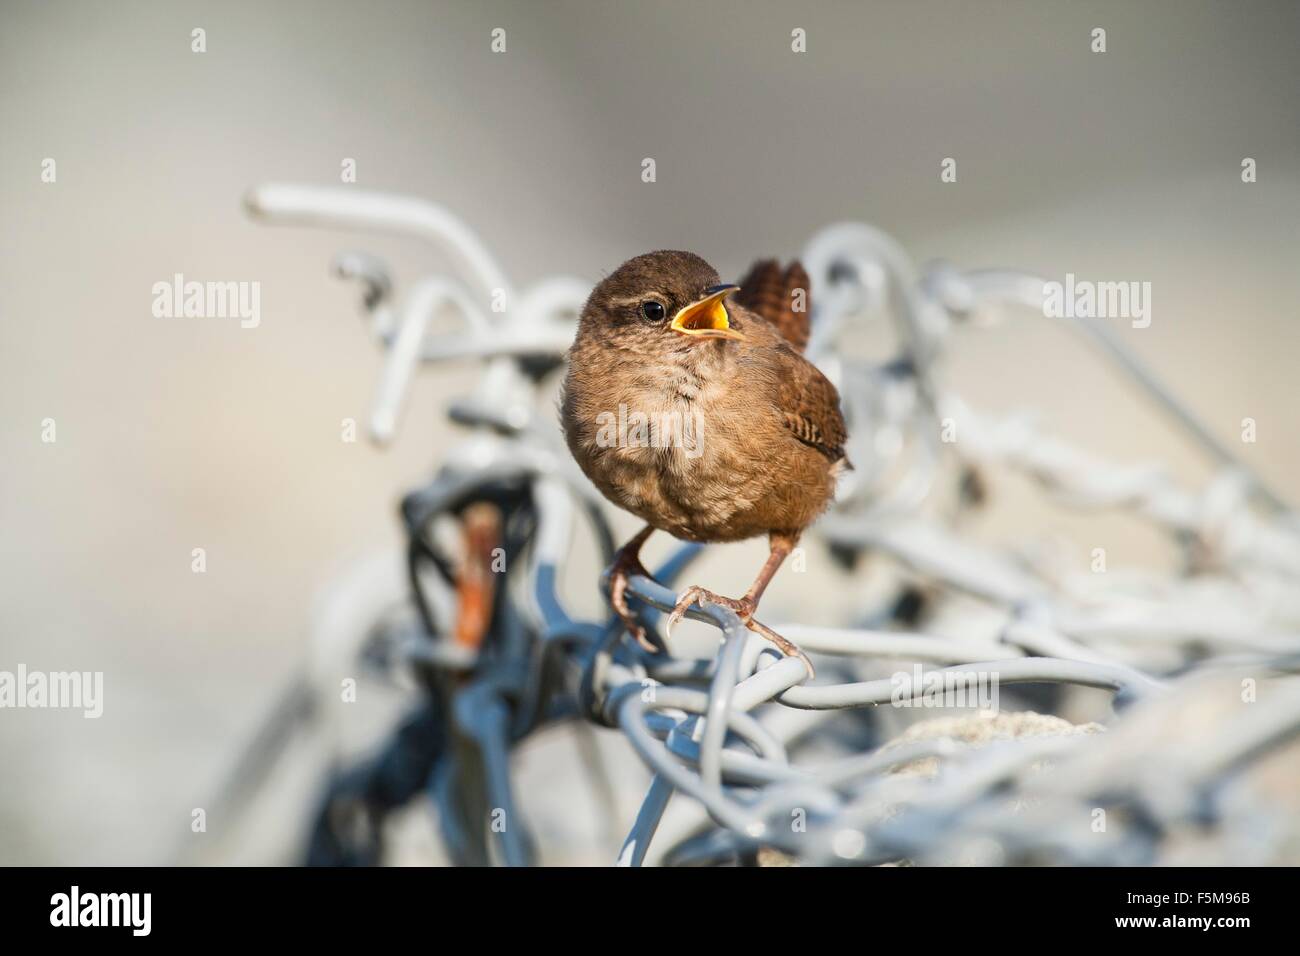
[1201, 665]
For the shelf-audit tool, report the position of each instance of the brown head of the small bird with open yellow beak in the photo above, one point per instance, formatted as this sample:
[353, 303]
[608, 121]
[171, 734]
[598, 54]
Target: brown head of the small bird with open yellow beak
[661, 299]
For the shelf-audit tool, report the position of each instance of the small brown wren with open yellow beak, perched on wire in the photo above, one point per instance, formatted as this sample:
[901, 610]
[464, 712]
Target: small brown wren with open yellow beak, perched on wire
[768, 436]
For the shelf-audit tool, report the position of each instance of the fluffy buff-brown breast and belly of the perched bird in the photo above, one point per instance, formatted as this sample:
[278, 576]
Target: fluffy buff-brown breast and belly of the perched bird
[696, 444]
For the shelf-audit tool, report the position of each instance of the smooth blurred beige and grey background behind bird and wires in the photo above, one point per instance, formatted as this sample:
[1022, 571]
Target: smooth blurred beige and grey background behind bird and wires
[175, 434]
